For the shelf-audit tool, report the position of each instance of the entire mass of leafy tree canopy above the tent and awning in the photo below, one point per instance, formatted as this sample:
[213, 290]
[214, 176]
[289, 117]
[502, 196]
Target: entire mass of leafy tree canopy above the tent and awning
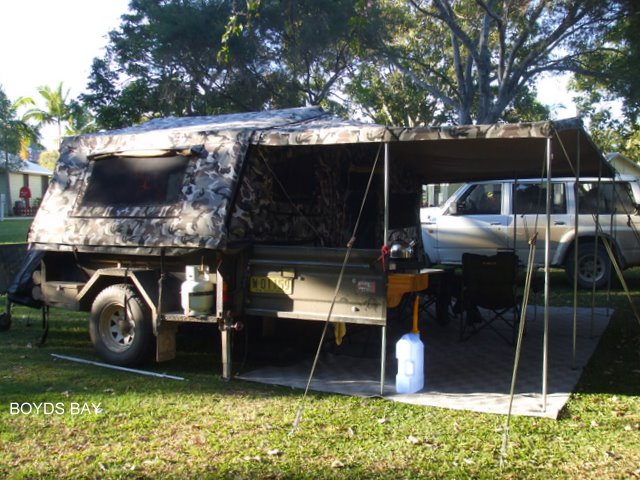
[405, 62]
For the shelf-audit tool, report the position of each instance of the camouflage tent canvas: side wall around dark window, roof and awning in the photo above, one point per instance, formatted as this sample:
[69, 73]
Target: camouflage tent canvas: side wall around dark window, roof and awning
[200, 218]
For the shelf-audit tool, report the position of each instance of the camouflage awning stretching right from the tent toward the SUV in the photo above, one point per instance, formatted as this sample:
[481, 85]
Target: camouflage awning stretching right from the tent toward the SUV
[461, 153]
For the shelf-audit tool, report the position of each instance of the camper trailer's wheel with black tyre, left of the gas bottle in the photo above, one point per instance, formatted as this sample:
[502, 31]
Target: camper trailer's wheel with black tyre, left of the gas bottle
[122, 336]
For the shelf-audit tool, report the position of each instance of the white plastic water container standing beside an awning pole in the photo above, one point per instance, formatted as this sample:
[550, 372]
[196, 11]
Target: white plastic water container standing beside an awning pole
[410, 355]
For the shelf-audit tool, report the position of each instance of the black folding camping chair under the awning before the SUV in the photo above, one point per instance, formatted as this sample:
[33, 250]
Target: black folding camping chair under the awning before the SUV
[489, 283]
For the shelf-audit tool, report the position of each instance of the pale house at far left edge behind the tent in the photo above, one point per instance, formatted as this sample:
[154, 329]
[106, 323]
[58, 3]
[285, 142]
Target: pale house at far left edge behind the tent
[27, 184]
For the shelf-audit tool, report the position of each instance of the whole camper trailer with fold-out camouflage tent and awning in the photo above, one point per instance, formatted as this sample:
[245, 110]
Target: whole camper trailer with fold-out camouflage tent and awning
[288, 214]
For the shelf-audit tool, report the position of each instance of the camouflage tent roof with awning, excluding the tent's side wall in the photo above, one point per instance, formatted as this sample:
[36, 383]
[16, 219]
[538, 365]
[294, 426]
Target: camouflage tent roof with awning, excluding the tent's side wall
[436, 154]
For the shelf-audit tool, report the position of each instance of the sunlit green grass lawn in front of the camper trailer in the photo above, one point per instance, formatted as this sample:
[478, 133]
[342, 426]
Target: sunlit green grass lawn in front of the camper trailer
[204, 427]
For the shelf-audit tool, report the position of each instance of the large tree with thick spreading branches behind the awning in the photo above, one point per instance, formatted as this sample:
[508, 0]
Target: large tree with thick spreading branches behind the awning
[476, 57]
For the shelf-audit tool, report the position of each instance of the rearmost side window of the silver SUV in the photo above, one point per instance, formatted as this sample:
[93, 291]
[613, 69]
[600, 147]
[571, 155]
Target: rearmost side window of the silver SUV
[605, 197]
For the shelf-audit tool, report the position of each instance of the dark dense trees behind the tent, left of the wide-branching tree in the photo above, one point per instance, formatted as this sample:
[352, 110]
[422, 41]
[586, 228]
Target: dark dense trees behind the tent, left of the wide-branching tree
[188, 57]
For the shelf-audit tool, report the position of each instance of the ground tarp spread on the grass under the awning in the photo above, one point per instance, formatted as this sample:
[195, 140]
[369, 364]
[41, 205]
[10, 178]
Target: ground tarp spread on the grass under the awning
[473, 375]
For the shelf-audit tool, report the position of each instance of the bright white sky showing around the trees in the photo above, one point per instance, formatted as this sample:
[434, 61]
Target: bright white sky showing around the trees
[45, 42]
